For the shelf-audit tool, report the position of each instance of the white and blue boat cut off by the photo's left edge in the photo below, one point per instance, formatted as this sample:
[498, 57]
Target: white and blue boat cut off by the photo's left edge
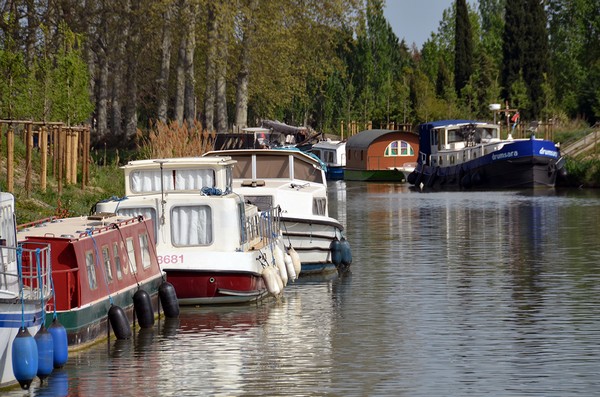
[25, 286]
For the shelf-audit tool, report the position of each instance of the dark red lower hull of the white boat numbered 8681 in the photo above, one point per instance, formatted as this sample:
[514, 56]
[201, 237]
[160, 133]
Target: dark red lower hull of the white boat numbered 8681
[217, 287]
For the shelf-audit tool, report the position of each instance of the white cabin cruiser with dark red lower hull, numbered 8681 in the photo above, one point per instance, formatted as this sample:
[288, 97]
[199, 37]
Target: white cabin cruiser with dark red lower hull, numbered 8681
[213, 247]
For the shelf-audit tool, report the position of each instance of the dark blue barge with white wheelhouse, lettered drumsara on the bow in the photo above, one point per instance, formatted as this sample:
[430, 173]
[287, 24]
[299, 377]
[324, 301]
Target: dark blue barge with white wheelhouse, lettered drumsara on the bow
[468, 154]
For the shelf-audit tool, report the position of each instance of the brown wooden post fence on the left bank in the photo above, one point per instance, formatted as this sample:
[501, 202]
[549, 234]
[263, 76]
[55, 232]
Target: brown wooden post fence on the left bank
[64, 147]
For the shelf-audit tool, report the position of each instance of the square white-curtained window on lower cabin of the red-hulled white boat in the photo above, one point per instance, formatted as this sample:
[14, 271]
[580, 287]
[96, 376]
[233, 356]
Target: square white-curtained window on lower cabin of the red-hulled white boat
[191, 225]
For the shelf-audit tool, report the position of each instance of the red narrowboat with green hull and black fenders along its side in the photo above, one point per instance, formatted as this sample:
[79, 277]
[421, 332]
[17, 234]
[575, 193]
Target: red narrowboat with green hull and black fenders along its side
[100, 263]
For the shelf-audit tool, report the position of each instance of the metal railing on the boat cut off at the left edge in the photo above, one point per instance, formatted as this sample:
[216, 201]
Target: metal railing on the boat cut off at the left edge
[32, 273]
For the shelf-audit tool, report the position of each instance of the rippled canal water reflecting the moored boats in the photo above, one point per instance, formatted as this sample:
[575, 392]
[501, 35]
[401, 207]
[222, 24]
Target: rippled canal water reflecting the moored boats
[450, 294]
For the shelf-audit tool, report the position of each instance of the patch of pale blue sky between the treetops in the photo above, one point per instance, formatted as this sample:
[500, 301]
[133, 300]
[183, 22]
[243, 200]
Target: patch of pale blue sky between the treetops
[414, 20]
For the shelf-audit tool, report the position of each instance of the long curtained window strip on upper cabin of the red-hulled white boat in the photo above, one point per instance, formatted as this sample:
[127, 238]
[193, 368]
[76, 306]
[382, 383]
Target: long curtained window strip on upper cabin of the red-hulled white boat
[145, 181]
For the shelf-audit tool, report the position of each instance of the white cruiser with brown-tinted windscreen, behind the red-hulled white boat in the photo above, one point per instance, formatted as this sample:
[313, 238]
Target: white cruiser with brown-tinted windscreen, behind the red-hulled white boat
[295, 182]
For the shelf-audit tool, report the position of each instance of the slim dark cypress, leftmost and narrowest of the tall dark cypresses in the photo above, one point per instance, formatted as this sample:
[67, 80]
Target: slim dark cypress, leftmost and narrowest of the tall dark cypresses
[463, 47]
